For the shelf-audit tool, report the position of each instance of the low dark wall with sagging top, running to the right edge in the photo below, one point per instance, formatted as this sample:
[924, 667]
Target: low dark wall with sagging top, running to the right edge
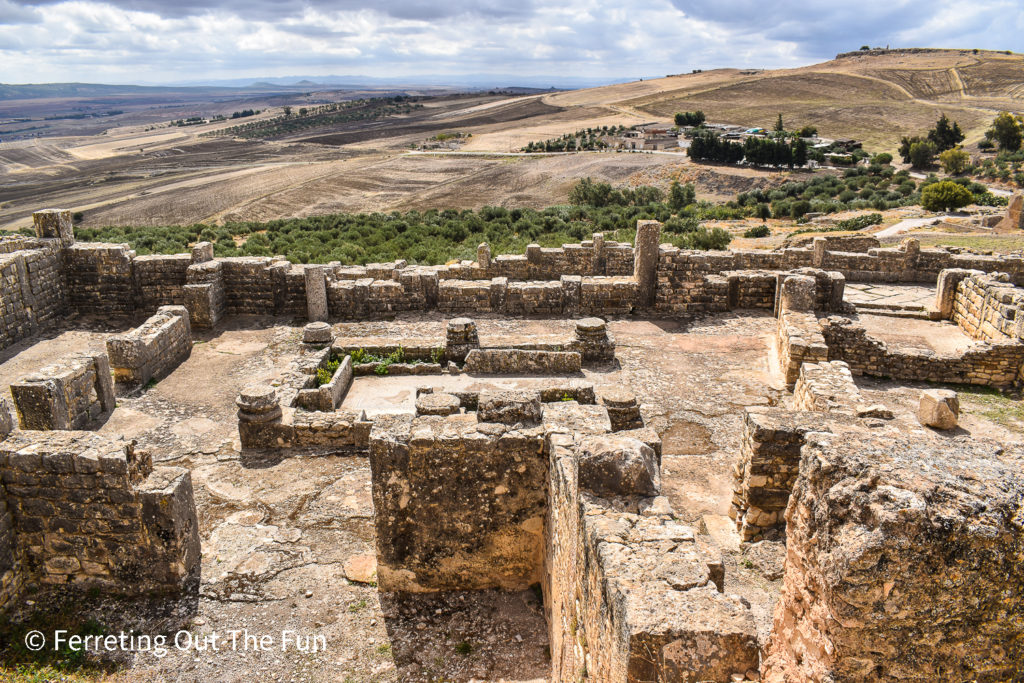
[997, 364]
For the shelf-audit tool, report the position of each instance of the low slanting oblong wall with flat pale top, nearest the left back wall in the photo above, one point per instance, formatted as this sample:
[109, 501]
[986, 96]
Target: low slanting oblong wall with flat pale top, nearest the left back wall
[152, 351]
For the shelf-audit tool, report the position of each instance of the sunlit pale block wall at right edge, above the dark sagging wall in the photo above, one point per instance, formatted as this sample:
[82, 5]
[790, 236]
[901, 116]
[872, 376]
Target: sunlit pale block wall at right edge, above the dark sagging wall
[989, 308]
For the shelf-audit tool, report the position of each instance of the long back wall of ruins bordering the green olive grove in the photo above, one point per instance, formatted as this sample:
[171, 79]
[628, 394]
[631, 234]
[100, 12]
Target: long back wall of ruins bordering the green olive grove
[45, 278]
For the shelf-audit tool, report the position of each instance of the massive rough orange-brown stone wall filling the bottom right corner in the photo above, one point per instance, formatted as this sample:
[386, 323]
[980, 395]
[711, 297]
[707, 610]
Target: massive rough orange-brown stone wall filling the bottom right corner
[899, 572]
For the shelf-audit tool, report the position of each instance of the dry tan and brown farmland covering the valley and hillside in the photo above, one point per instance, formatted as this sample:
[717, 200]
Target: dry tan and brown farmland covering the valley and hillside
[142, 170]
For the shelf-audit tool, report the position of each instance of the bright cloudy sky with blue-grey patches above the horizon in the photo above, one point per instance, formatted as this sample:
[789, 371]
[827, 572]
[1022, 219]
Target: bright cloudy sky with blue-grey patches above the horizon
[153, 41]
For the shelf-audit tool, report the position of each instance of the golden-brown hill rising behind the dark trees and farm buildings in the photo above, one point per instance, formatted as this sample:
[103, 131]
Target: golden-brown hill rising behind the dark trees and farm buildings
[876, 97]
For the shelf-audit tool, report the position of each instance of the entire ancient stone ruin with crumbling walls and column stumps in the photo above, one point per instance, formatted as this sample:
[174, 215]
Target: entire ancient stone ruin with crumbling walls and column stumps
[509, 461]
